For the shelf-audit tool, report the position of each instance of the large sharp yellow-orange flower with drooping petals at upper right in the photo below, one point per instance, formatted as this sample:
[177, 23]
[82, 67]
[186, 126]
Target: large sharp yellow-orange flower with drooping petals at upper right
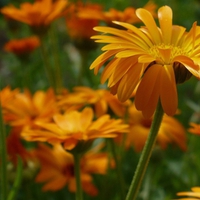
[151, 56]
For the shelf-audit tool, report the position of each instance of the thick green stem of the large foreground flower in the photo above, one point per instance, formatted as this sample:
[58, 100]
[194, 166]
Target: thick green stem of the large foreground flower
[146, 154]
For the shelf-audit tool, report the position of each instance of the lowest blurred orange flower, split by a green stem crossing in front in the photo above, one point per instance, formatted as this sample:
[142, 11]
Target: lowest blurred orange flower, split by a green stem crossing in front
[57, 169]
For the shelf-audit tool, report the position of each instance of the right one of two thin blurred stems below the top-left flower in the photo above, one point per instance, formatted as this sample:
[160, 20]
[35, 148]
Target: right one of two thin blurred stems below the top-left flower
[54, 48]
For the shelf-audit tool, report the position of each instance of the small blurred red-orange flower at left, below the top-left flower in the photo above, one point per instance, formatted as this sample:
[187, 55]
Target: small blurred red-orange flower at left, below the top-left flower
[22, 46]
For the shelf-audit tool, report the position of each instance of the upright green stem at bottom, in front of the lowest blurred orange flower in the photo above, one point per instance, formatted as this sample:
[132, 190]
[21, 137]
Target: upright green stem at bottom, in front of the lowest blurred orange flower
[79, 195]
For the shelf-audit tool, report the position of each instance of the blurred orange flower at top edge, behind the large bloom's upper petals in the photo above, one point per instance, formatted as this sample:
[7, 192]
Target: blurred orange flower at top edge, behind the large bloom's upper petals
[128, 15]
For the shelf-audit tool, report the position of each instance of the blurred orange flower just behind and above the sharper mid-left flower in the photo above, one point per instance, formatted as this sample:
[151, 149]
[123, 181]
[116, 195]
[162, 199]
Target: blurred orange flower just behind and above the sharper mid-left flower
[100, 99]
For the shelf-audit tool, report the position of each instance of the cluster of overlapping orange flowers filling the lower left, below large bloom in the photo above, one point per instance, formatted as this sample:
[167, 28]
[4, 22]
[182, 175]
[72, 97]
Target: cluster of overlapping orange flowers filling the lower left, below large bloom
[74, 120]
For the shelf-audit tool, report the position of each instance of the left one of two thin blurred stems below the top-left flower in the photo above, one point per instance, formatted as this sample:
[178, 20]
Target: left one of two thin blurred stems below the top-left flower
[47, 66]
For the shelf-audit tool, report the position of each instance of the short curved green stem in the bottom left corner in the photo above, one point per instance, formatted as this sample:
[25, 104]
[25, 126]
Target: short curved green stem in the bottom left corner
[17, 183]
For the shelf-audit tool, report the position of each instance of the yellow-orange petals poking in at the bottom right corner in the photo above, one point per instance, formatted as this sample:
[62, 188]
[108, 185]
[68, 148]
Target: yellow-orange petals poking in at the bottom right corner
[192, 195]
